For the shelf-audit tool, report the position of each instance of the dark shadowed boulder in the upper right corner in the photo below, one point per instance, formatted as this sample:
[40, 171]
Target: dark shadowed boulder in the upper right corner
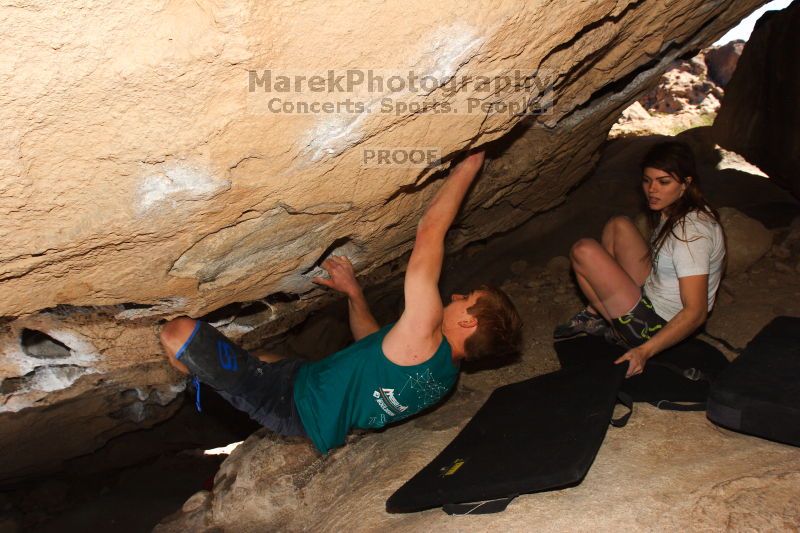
[759, 116]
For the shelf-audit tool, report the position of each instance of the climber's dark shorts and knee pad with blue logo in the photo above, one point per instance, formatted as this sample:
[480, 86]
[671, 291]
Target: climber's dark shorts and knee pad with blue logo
[265, 391]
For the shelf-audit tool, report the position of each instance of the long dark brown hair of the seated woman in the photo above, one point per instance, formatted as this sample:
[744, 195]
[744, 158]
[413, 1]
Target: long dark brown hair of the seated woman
[676, 159]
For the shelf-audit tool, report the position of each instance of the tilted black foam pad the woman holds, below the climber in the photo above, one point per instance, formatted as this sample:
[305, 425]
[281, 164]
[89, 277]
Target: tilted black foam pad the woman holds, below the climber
[539, 434]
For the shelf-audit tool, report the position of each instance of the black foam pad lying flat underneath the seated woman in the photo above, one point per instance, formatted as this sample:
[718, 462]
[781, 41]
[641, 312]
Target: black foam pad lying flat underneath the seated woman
[682, 373]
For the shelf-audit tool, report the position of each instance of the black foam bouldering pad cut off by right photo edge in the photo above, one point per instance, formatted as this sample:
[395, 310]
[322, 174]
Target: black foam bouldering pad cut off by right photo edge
[759, 393]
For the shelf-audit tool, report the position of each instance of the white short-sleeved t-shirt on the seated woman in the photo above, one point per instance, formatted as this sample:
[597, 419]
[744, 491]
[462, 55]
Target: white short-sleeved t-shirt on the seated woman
[703, 253]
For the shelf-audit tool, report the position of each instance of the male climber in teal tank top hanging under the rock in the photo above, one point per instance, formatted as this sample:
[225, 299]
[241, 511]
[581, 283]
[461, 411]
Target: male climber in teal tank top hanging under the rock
[389, 373]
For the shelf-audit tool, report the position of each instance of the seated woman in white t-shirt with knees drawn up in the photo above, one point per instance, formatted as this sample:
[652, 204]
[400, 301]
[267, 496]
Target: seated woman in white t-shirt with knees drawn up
[655, 295]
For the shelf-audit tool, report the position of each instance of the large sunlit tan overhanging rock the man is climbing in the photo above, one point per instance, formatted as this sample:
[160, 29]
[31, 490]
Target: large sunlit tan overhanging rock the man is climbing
[142, 179]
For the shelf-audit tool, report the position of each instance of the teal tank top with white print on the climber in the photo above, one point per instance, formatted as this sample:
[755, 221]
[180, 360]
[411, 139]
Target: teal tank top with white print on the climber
[358, 387]
